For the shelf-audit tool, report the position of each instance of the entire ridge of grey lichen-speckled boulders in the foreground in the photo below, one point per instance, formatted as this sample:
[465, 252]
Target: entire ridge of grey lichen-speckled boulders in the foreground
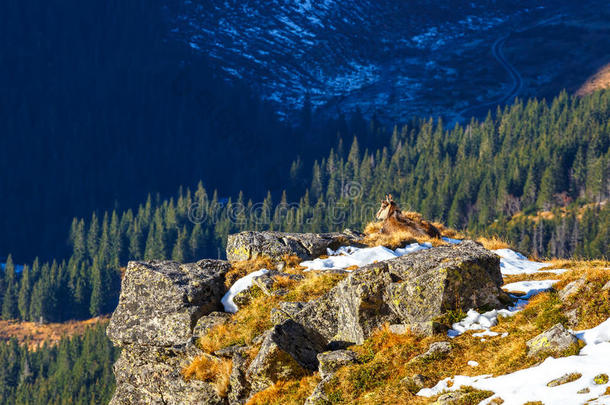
[165, 306]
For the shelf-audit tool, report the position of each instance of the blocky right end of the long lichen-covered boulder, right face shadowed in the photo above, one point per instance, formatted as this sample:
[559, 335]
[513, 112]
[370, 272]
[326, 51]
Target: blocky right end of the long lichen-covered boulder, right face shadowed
[428, 283]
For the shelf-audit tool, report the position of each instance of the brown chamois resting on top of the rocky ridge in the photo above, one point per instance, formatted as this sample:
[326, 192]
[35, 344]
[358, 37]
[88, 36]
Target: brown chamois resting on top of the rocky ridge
[395, 221]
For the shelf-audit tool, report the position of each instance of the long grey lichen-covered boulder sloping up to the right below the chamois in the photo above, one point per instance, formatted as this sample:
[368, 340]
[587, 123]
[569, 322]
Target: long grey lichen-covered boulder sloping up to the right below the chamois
[414, 290]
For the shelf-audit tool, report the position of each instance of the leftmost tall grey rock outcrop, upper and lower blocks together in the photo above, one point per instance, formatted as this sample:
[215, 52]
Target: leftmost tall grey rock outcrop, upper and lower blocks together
[160, 305]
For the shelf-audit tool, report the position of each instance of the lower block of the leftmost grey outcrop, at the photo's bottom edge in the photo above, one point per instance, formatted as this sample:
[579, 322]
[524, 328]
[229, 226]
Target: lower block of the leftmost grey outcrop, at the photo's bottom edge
[148, 375]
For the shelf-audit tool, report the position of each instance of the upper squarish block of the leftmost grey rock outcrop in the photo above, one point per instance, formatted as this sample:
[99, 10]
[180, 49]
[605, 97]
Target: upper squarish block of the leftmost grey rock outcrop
[161, 302]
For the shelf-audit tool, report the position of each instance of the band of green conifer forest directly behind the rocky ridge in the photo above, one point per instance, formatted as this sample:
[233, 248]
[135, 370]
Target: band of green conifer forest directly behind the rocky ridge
[490, 176]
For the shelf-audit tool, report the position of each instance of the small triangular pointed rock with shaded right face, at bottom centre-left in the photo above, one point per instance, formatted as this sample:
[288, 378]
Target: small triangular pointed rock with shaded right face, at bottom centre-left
[270, 365]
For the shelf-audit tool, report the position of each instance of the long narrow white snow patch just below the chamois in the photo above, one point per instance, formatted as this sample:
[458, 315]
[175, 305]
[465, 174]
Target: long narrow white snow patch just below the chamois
[348, 256]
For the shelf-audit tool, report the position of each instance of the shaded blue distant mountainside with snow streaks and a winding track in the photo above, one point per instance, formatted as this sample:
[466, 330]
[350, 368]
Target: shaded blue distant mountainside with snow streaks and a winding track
[396, 61]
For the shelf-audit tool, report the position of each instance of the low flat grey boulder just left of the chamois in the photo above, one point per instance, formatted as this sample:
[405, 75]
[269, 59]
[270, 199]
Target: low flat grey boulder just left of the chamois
[274, 245]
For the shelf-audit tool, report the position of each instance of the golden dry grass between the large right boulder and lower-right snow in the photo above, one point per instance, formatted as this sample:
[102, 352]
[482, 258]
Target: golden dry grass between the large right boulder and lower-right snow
[386, 357]
